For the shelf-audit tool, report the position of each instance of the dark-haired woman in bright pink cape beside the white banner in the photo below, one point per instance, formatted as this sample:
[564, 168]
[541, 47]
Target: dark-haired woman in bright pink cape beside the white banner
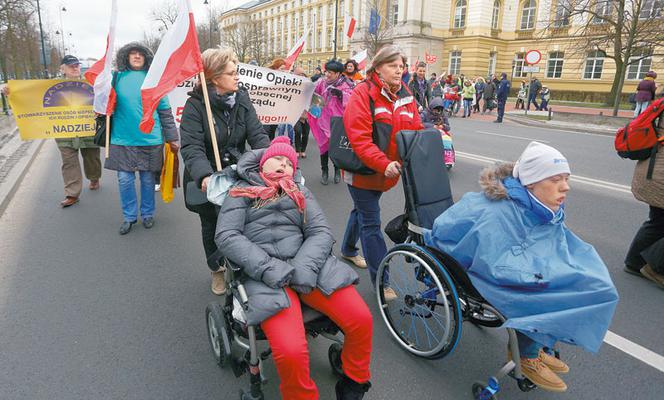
[335, 90]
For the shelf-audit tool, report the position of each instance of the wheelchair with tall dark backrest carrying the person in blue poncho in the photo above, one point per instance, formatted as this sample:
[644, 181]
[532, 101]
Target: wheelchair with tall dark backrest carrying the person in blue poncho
[435, 295]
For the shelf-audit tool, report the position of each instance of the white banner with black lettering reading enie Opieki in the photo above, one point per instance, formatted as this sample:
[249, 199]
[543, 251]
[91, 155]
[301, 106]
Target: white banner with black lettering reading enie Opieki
[278, 97]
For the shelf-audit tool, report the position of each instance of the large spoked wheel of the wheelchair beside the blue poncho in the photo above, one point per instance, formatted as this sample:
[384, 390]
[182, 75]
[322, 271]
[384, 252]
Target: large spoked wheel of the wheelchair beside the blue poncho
[425, 318]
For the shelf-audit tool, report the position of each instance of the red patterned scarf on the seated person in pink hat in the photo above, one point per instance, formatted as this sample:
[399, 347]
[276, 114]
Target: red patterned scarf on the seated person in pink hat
[277, 184]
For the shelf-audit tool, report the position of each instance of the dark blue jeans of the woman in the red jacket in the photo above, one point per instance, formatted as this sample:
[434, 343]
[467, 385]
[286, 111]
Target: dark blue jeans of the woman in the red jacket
[364, 224]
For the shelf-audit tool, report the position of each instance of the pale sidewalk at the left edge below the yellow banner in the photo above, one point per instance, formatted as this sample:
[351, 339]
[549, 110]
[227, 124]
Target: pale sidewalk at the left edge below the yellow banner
[15, 159]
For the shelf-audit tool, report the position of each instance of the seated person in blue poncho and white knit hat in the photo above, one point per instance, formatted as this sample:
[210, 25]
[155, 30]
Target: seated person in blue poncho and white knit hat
[512, 241]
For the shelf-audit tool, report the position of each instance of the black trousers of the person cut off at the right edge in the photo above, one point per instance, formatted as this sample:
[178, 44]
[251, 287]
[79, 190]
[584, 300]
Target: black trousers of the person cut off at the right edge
[648, 244]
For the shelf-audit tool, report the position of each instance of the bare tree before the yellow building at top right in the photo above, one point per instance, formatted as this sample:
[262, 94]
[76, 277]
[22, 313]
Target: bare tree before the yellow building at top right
[626, 31]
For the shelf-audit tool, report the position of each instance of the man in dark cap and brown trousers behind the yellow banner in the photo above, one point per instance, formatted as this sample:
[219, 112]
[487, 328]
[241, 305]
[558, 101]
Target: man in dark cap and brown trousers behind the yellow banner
[70, 68]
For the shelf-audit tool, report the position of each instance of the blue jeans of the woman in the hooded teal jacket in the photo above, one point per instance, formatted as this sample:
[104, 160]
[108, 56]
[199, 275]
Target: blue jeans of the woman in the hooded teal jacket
[128, 199]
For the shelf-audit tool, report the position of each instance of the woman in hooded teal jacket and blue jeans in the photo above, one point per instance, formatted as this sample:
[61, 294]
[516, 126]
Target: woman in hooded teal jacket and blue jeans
[130, 149]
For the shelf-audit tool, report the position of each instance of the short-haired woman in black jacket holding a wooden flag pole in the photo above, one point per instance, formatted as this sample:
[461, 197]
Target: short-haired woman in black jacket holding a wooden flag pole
[236, 124]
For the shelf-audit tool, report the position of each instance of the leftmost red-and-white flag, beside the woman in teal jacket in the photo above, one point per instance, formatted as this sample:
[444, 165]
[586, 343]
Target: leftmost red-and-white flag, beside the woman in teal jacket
[100, 75]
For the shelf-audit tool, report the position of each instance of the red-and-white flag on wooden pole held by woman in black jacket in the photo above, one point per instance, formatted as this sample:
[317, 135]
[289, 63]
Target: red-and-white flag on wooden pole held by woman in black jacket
[178, 59]
